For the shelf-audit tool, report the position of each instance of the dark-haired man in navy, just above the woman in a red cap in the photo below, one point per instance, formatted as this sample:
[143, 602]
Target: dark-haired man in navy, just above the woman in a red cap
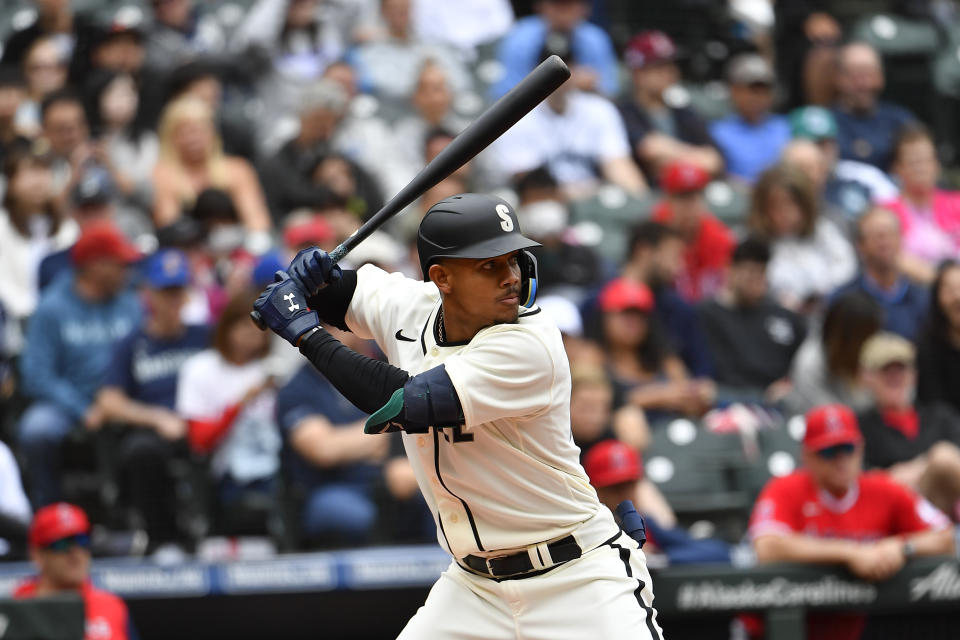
[656, 259]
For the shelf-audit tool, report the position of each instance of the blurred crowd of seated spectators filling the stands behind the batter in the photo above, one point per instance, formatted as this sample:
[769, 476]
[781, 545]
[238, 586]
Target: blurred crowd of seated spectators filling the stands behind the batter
[749, 223]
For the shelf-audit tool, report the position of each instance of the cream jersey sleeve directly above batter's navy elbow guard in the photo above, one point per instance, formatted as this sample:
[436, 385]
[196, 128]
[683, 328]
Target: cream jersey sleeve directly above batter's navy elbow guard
[508, 373]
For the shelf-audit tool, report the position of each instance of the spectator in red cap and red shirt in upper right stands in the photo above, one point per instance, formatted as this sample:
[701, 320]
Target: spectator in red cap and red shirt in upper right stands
[709, 244]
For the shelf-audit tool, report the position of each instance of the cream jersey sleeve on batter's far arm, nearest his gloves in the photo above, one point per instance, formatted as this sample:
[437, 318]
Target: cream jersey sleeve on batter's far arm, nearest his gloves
[377, 301]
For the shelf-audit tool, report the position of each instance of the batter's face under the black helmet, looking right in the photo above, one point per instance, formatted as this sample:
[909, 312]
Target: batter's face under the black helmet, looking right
[484, 291]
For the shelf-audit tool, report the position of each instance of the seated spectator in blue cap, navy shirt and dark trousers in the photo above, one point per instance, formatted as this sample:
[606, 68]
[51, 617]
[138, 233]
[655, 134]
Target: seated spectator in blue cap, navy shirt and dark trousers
[140, 389]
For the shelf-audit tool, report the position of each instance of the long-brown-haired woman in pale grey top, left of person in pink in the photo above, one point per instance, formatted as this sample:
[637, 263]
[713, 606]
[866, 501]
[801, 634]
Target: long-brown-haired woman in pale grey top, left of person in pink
[811, 257]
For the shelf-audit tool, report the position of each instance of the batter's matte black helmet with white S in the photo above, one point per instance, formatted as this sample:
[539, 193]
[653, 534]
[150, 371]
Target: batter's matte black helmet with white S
[475, 225]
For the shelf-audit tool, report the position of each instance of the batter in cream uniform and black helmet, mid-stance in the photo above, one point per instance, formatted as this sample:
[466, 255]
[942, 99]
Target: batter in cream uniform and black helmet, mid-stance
[479, 384]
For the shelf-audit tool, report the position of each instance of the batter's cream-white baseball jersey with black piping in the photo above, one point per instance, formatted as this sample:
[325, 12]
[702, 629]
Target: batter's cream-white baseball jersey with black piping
[510, 477]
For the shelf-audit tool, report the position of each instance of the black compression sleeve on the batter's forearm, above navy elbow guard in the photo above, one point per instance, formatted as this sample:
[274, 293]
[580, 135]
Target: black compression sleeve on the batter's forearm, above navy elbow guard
[365, 382]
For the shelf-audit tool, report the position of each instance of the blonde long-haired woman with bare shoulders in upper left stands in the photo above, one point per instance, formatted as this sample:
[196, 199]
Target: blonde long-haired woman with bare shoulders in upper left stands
[192, 159]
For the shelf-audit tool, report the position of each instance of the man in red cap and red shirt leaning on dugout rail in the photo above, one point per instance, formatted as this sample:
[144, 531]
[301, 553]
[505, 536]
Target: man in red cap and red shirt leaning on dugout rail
[830, 512]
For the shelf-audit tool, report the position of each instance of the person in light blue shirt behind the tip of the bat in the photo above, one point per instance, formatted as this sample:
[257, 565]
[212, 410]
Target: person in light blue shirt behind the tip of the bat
[522, 48]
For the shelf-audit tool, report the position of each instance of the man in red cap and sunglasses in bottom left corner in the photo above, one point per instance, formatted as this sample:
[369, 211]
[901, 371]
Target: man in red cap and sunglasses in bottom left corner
[59, 539]
